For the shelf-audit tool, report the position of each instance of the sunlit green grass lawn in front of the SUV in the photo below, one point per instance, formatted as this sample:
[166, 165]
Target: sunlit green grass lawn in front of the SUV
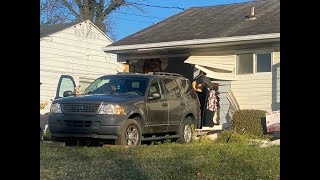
[164, 161]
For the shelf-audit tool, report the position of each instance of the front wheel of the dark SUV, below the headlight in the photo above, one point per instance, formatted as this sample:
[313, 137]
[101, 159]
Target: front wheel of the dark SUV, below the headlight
[130, 134]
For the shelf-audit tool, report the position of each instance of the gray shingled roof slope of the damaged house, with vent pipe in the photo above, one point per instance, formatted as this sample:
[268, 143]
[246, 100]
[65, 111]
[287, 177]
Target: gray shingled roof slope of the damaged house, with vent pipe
[211, 22]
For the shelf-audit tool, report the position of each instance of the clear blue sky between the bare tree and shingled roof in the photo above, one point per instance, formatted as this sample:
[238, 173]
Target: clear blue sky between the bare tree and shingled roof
[127, 21]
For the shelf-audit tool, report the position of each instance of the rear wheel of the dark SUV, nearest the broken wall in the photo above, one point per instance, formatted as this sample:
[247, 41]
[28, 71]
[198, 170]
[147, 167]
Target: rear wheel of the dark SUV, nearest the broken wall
[185, 131]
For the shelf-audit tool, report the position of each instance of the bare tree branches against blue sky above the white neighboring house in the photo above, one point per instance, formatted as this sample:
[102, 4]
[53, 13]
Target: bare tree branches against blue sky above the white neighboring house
[98, 11]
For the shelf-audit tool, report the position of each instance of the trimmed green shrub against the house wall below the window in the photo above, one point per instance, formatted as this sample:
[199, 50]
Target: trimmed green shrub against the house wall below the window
[248, 122]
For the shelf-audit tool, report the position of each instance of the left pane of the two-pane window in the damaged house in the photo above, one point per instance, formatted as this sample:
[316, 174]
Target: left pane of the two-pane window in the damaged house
[245, 64]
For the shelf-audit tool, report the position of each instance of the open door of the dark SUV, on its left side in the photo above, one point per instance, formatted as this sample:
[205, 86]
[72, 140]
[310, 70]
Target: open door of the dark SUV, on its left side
[66, 83]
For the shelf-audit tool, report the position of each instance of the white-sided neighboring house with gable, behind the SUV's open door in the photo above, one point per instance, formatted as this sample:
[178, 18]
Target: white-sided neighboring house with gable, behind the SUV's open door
[73, 49]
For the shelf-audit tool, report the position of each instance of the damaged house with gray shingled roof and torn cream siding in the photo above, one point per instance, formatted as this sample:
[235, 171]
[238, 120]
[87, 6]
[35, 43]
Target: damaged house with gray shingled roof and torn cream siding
[237, 45]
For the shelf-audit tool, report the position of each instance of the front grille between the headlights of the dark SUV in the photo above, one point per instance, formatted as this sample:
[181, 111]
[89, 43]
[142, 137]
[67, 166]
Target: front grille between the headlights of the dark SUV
[80, 108]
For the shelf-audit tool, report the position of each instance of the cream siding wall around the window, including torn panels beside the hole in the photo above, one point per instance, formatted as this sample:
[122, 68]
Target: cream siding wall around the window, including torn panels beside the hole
[259, 91]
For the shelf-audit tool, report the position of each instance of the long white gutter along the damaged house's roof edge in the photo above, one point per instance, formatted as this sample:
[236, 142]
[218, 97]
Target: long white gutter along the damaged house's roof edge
[141, 47]
